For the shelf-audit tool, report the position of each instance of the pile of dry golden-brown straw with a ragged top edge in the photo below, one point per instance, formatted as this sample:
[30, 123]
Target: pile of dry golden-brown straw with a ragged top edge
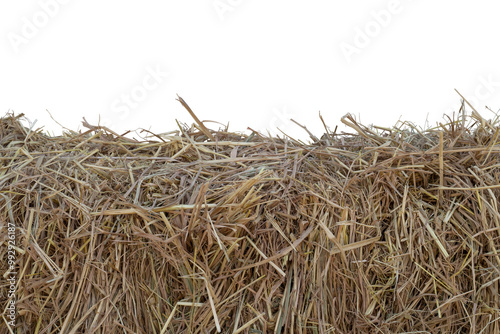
[201, 231]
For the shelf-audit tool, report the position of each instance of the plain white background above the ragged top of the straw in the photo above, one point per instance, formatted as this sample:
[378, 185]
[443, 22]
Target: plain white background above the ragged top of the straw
[251, 63]
